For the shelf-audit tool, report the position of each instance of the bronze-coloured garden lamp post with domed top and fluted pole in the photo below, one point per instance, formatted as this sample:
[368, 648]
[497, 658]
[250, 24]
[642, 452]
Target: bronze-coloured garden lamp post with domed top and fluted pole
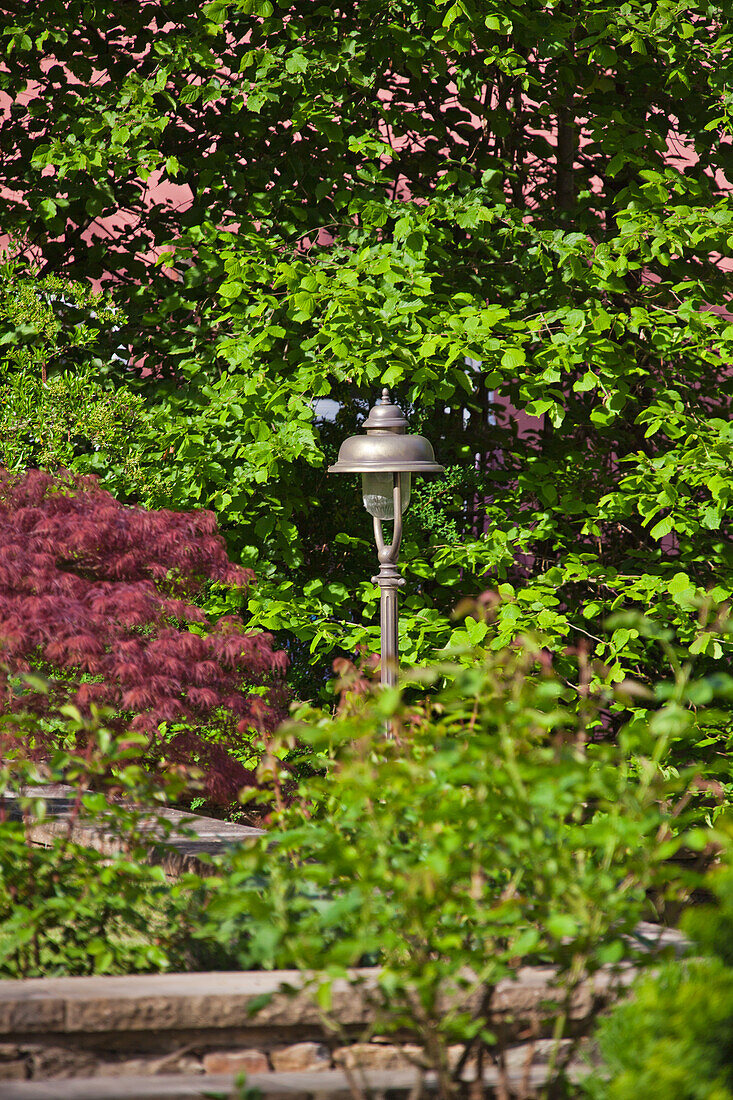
[387, 459]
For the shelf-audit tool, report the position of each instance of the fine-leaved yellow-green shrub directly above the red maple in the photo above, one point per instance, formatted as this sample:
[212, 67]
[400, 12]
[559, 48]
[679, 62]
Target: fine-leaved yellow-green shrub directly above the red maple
[58, 411]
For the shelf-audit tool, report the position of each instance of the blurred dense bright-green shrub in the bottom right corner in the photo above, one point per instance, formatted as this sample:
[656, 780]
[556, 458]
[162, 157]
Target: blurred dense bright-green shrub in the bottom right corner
[673, 1040]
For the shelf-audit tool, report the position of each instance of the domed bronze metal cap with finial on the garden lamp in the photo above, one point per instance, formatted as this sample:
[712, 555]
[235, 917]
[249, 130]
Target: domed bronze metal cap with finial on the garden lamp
[386, 448]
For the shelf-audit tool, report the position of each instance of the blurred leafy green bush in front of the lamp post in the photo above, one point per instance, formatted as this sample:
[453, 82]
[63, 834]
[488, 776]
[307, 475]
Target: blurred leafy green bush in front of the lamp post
[485, 835]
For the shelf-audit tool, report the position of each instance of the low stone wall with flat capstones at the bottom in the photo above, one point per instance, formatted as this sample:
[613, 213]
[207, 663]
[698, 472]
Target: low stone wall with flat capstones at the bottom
[228, 1024]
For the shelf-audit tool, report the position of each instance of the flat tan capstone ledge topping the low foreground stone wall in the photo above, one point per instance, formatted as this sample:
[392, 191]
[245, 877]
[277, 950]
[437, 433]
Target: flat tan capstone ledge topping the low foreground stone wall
[256, 1000]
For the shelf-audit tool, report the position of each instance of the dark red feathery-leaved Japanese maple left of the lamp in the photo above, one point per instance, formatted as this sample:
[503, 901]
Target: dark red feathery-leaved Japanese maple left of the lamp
[97, 596]
